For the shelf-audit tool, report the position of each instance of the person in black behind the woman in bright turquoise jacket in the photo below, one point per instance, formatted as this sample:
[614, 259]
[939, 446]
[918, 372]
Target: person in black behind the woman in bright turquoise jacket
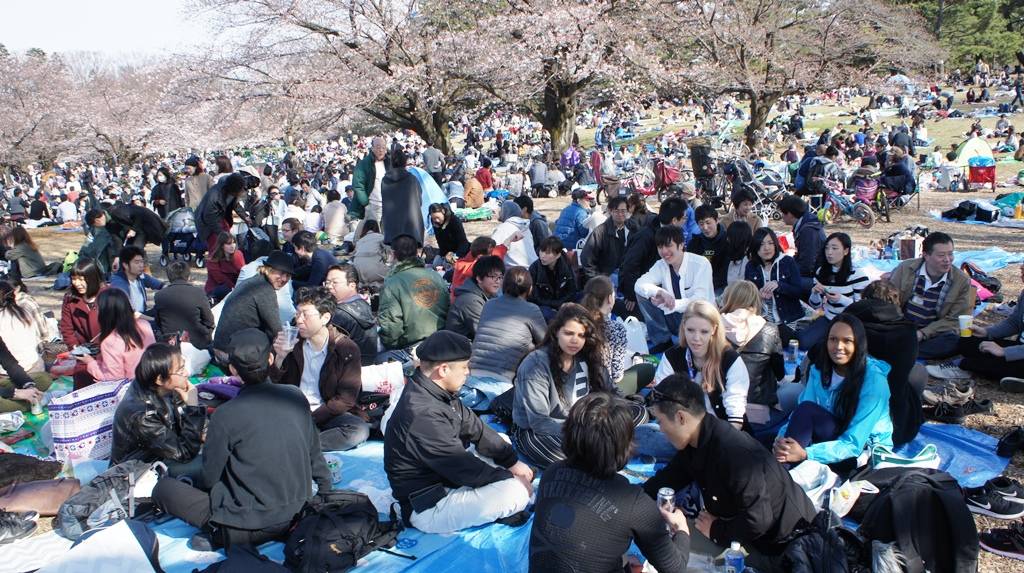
[892, 339]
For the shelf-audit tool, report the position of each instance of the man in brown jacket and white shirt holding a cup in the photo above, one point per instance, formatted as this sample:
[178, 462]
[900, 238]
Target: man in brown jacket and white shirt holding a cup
[327, 368]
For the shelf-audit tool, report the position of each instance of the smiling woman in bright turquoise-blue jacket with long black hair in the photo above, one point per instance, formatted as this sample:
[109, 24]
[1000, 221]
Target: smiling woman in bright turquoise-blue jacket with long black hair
[845, 407]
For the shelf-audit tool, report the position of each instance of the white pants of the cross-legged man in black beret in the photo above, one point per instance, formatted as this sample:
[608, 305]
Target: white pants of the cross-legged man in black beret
[468, 507]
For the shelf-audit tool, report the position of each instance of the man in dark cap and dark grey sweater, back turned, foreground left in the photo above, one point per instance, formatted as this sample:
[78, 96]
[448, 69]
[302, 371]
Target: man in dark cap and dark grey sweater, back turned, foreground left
[246, 497]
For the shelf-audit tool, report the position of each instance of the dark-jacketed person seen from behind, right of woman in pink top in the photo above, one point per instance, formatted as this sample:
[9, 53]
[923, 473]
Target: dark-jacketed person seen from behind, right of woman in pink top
[182, 306]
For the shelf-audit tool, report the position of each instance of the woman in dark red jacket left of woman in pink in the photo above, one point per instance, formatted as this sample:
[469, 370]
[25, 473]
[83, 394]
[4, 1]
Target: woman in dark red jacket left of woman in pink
[79, 314]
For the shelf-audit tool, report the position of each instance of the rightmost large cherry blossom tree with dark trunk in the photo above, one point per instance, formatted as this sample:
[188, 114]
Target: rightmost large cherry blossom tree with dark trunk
[763, 51]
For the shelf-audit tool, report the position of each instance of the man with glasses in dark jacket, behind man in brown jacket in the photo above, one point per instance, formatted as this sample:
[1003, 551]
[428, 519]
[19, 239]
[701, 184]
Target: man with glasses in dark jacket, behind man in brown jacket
[354, 316]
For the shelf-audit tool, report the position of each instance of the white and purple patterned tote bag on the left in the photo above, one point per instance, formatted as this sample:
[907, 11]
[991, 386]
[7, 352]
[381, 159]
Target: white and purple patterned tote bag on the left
[83, 421]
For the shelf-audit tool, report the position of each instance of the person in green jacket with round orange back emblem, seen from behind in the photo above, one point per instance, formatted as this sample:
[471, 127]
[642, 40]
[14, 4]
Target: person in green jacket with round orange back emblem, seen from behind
[414, 302]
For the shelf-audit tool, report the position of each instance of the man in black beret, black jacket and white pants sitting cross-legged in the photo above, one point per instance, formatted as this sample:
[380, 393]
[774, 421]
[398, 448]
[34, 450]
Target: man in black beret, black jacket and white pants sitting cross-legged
[441, 486]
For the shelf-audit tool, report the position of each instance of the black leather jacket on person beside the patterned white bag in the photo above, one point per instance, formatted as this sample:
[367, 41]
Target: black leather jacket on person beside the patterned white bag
[151, 428]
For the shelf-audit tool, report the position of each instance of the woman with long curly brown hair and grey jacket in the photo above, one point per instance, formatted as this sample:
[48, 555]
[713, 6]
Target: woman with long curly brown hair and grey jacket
[567, 367]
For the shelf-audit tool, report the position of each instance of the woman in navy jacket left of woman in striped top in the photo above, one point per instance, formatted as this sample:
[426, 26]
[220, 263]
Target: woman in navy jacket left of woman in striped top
[778, 278]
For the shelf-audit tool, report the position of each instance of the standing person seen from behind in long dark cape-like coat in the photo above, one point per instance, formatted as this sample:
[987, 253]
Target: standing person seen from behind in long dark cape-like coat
[402, 202]
